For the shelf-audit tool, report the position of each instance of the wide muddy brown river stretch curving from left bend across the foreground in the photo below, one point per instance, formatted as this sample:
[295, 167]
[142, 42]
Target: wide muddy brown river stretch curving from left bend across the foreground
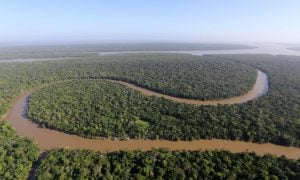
[48, 139]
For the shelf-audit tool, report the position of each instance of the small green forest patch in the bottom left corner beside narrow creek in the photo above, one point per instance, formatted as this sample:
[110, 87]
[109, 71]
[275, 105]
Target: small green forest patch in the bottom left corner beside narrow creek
[16, 154]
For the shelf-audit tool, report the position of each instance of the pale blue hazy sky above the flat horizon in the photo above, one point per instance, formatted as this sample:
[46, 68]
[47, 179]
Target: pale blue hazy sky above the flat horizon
[76, 21]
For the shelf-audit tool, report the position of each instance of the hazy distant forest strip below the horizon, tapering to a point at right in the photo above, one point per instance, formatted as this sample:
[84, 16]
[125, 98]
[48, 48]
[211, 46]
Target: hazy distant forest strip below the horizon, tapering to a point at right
[92, 50]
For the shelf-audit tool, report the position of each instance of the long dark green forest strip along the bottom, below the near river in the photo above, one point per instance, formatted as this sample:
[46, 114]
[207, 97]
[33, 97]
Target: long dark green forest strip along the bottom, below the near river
[163, 164]
